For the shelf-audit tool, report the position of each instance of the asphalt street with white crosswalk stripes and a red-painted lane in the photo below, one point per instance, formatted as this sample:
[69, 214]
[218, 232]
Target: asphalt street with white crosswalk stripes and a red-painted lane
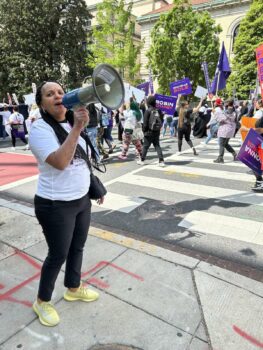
[191, 204]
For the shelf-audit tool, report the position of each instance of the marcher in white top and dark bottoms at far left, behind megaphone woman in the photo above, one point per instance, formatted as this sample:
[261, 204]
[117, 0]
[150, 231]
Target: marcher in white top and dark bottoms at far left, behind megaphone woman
[16, 121]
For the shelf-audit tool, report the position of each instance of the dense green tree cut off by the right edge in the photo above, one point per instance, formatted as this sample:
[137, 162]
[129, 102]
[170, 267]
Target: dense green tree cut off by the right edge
[250, 36]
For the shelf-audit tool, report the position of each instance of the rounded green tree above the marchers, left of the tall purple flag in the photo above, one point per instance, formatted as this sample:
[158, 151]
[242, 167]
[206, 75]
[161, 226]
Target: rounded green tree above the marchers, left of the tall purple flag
[181, 40]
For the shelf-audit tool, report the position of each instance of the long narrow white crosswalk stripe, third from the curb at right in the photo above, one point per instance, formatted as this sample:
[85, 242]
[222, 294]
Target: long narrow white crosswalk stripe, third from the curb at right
[226, 175]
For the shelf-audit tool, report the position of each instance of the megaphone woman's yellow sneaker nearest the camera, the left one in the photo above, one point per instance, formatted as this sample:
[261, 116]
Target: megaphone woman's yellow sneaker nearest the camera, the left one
[47, 314]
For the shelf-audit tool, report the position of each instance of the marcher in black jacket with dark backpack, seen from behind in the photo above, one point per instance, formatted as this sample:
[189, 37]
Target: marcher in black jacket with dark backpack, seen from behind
[151, 136]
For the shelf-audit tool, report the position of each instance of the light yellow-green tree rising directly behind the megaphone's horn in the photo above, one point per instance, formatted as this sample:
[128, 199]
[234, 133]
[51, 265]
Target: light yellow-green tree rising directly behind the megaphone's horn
[113, 39]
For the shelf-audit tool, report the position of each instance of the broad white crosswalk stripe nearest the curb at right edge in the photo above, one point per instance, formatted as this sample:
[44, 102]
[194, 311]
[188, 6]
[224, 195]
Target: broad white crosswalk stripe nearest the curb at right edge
[221, 225]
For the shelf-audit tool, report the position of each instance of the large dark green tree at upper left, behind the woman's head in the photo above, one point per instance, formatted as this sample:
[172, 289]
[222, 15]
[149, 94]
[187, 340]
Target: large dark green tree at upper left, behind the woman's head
[42, 41]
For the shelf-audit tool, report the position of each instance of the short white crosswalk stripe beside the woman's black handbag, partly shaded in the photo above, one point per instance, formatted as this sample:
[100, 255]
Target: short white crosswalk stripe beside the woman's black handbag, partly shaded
[124, 204]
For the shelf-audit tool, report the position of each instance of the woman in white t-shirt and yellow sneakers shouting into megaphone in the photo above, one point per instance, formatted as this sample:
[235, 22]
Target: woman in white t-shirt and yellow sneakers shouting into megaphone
[62, 203]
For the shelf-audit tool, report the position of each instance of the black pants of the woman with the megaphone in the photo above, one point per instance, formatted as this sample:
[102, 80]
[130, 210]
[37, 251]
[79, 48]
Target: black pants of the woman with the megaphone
[65, 226]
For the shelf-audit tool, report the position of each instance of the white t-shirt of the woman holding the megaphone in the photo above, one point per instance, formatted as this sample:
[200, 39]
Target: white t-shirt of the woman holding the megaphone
[71, 183]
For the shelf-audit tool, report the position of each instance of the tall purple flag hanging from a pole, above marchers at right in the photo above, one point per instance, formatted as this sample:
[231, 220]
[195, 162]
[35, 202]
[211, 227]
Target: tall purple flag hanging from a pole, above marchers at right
[222, 72]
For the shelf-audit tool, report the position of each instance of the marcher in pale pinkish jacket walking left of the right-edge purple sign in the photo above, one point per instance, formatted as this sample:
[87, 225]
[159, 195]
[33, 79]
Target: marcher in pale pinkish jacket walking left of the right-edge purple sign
[226, 130]
